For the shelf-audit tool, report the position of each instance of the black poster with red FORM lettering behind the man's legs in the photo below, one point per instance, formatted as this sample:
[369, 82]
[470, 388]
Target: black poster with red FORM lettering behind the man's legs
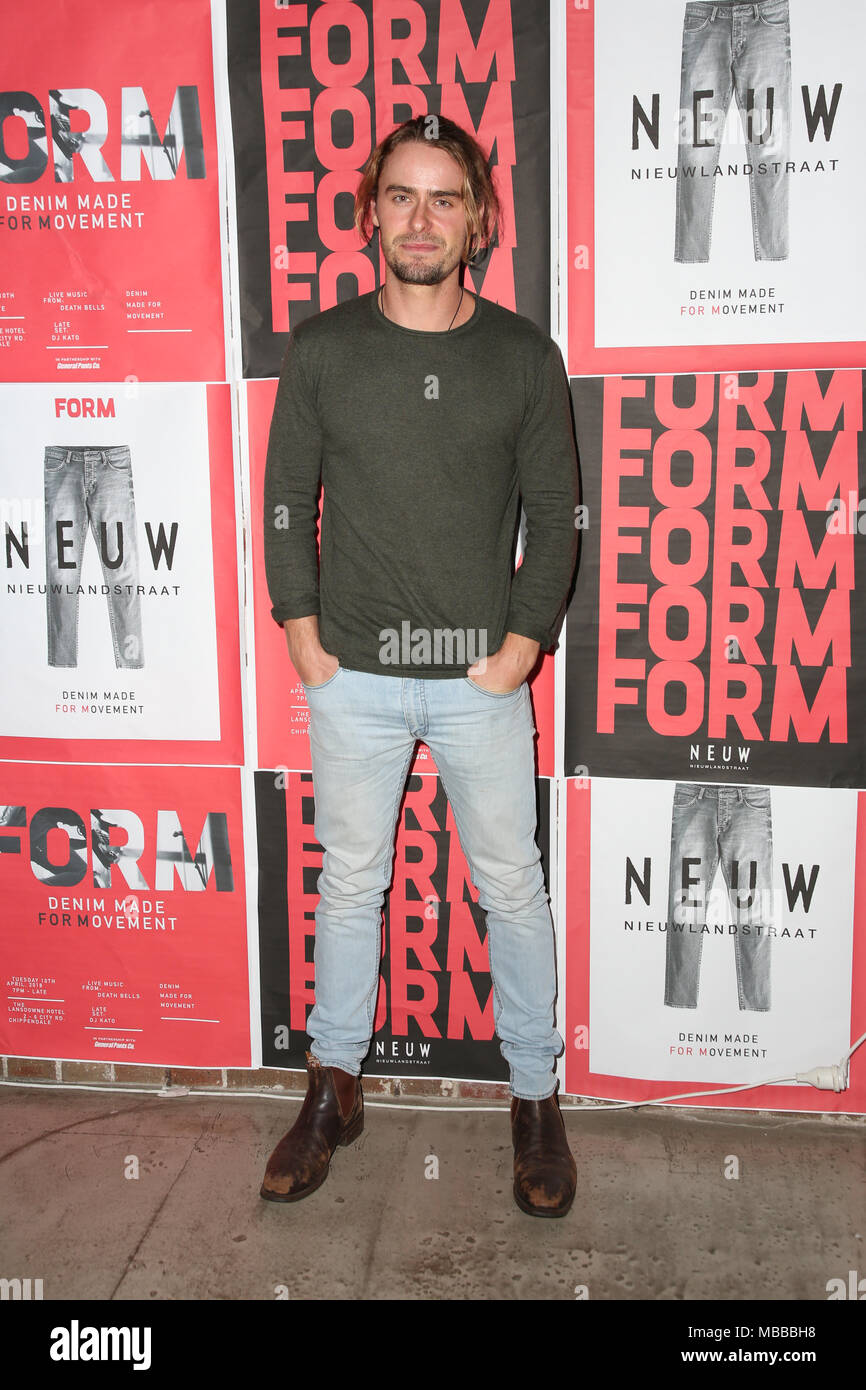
[434, 1013]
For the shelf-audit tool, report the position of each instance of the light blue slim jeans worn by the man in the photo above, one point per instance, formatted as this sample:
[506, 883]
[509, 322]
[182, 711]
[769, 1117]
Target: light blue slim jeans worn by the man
[363, 732]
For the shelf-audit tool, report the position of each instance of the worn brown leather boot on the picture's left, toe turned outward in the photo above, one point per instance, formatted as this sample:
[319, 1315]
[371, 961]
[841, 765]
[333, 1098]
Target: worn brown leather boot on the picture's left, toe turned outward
[333, 1114]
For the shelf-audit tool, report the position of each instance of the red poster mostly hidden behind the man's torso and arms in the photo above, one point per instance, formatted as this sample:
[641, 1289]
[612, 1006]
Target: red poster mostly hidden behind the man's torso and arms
[281, 710]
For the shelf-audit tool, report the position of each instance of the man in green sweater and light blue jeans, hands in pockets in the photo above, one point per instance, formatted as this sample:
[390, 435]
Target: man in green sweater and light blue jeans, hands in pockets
[427, 414]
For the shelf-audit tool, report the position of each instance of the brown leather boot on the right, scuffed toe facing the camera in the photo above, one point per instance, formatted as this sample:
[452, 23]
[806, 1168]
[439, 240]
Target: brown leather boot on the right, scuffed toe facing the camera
[546, 1177]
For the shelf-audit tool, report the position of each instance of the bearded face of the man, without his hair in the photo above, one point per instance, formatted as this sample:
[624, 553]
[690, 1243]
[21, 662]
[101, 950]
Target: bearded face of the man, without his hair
[420, 215]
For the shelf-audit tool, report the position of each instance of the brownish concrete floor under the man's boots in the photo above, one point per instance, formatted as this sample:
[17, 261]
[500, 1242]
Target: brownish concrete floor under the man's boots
[655, 1217]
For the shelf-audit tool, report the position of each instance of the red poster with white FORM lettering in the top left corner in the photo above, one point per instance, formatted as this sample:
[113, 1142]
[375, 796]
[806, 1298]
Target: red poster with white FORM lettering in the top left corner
[111, 227]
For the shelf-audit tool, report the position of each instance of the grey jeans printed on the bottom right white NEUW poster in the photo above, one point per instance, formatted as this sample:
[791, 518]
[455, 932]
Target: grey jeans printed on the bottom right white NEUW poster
[712, 828]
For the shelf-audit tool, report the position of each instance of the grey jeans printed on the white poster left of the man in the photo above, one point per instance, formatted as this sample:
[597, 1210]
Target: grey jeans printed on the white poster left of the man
[91, 489]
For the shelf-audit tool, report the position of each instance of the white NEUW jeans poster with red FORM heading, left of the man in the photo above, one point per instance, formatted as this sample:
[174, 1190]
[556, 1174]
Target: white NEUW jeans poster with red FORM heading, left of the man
[120, 586]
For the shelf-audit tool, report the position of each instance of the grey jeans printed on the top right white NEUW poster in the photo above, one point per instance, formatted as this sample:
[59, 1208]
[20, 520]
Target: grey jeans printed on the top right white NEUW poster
[744, 49]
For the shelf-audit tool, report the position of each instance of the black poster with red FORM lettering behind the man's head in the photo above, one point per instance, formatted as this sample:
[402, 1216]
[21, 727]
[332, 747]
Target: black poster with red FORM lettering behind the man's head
[315, 88]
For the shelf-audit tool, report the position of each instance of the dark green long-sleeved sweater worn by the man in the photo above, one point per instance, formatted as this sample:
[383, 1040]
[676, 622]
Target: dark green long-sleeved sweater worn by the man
[426, 444]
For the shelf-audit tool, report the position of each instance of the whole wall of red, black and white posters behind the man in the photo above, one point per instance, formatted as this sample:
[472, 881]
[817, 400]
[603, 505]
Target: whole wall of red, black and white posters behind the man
[176, 198]
